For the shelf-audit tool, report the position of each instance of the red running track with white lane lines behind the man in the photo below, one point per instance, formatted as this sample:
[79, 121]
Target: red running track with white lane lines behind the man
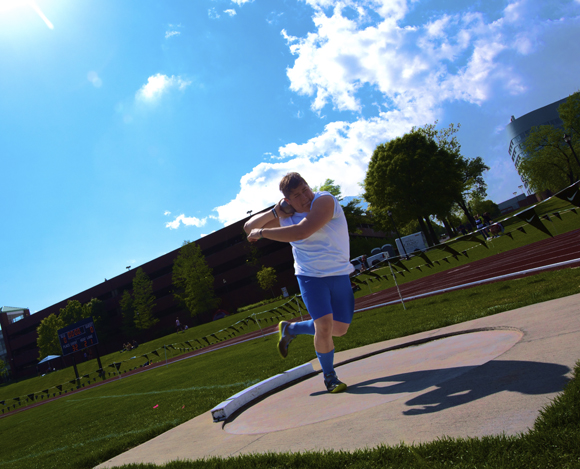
[561, 248]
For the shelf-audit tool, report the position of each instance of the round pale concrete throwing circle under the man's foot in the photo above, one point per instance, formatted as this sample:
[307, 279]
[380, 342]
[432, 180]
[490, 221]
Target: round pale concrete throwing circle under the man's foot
[376, 380]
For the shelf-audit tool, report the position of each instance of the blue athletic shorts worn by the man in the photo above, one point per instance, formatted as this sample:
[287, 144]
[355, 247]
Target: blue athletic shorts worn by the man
[328, 295]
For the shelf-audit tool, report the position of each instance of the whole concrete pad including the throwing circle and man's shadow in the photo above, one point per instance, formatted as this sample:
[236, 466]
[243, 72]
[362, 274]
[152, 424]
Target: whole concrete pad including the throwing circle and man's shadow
[482, 377]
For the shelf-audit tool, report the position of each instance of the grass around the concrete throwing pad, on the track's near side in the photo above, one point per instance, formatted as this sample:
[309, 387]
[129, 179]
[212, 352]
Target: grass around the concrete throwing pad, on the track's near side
[82, 430]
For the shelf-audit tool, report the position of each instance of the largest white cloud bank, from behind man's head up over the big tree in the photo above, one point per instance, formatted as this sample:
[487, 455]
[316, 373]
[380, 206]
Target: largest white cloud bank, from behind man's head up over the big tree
[417, 70]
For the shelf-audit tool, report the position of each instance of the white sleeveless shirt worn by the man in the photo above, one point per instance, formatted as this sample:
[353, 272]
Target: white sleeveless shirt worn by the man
[325, 253]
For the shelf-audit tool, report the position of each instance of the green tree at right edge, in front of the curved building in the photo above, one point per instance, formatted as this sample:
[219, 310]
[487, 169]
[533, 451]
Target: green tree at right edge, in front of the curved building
[550, 162]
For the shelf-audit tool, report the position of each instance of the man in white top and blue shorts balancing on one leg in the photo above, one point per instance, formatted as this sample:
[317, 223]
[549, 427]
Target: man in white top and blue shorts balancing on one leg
[318, 233]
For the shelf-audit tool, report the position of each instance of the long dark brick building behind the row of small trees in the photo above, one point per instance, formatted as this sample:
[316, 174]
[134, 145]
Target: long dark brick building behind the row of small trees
[226, 251]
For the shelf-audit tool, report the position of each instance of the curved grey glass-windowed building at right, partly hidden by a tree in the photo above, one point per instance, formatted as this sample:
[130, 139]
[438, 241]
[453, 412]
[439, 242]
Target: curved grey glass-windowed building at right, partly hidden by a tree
[518, 129]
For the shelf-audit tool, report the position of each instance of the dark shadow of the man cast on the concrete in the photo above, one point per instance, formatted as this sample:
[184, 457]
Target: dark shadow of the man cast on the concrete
[457, 386]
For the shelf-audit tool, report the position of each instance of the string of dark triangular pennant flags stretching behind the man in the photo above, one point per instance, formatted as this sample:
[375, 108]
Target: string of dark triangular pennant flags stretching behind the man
[295, 305]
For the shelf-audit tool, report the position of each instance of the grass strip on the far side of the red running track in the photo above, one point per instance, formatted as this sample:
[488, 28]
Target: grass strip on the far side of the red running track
[134, 359]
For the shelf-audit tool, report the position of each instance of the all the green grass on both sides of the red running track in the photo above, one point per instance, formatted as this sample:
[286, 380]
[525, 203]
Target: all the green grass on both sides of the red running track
[82, 430]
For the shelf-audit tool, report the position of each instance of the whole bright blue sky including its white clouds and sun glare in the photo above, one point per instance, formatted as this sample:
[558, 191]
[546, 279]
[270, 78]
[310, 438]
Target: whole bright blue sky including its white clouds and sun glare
[128, 127]
